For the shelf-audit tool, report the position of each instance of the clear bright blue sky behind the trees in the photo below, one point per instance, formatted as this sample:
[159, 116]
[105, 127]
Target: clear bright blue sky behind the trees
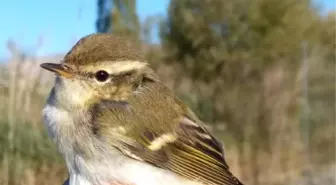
[62, 22]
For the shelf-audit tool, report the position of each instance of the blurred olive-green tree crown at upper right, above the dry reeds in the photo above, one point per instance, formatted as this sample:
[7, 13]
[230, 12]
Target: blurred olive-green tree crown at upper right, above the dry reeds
[213, 38]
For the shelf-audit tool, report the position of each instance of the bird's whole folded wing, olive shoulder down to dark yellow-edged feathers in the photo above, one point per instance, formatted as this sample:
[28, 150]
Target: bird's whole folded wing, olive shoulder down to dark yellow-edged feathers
[181, 144]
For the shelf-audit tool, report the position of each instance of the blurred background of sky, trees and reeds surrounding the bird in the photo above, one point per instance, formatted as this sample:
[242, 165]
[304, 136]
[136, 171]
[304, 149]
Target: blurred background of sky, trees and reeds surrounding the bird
[261, 73]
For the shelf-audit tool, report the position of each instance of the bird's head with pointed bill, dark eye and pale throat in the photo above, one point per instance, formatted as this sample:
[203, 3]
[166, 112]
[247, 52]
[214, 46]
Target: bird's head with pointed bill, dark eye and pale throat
[98, 67]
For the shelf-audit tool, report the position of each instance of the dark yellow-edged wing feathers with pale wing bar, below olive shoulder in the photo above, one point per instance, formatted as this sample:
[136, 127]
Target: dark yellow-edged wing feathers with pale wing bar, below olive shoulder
[188, 149]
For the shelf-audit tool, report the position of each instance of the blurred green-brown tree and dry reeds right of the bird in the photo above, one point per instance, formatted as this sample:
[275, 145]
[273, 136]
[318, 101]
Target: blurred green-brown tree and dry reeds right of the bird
[247, 61]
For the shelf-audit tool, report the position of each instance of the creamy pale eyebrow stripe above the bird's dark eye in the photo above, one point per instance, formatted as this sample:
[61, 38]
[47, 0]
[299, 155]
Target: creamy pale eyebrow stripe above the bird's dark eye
[117, 67]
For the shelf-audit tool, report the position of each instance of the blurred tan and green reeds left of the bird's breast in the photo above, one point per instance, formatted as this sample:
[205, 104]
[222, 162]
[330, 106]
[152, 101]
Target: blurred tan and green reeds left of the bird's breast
[27, 155]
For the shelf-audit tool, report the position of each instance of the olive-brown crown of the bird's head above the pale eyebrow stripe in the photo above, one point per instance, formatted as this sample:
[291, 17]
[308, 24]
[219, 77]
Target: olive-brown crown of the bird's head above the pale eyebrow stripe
[96, 48]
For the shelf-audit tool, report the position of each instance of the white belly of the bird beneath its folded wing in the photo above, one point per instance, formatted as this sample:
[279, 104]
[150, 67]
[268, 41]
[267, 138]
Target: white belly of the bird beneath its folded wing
[123, 170]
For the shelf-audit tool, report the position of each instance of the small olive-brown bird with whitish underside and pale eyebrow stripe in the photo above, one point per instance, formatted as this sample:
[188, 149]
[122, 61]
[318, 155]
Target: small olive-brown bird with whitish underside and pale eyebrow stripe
[115, 122]
